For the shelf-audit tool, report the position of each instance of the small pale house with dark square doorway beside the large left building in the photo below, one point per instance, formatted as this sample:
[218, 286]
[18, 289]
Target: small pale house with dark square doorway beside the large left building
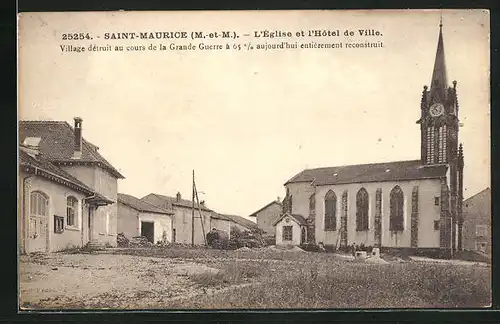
[139, 218]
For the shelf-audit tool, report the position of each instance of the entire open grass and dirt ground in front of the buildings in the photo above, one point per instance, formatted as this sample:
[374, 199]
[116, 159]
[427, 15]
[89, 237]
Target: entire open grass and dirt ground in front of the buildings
[172, 279]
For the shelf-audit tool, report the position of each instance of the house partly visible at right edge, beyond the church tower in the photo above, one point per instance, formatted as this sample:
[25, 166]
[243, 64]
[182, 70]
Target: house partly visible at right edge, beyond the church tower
[477, 222]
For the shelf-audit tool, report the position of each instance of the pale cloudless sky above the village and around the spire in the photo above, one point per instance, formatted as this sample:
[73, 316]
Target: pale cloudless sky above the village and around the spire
[247, 121]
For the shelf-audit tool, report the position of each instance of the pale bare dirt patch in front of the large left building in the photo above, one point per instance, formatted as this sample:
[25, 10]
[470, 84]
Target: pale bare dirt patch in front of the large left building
[105, 281]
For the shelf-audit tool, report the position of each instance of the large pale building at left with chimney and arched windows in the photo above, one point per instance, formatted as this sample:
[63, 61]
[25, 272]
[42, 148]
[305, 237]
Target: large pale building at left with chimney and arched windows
[67, 190]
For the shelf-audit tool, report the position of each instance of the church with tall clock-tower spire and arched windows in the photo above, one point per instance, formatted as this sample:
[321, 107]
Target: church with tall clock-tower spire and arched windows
[405, 205]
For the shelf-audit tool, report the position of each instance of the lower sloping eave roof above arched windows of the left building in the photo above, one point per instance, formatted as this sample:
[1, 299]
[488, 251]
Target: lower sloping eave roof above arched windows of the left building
[45, 168]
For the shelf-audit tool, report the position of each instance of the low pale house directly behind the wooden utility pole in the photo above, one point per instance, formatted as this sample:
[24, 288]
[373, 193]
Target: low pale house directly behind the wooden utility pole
[182, 209]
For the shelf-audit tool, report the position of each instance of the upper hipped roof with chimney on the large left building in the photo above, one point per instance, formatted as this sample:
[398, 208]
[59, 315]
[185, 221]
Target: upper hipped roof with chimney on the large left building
[57, 144]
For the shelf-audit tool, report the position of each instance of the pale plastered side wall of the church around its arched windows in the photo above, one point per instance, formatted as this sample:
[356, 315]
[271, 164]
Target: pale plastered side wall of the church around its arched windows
[427, 212]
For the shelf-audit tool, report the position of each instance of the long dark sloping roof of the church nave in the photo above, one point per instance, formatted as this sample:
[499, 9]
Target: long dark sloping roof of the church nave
[374, 172]
